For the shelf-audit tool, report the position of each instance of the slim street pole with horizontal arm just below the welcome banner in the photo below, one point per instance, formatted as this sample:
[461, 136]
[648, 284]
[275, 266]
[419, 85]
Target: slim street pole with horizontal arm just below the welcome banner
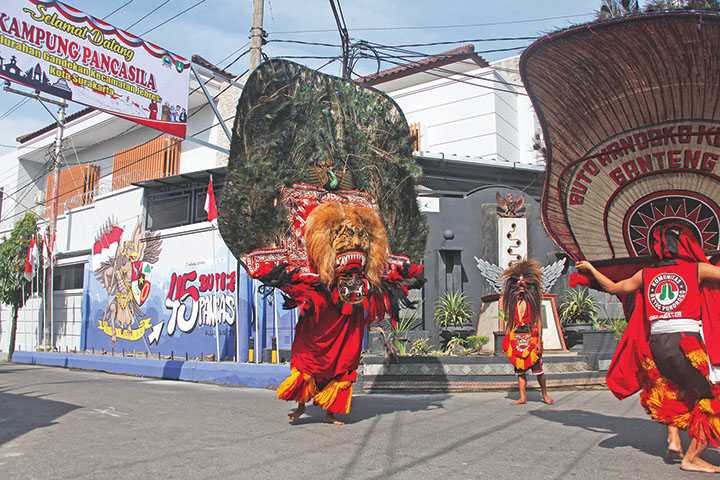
[48, 323]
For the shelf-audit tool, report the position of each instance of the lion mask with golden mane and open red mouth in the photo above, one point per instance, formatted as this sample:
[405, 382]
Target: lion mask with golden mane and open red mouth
[346, 244]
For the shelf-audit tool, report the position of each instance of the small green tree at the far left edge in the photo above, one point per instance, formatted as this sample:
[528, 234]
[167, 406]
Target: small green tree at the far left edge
[13, 250]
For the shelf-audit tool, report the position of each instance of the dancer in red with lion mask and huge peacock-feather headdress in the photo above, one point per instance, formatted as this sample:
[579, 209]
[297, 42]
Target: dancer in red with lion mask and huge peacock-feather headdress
[320, 189]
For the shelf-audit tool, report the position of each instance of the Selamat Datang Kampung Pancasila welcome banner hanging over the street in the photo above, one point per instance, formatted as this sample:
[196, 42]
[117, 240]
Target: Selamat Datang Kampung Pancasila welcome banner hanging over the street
[54, 48]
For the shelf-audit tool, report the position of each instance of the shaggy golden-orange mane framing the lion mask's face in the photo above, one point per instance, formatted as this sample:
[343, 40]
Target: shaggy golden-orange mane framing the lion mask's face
[322, 224]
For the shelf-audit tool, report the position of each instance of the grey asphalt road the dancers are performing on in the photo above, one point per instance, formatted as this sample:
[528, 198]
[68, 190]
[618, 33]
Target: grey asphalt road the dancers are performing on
[59, 424]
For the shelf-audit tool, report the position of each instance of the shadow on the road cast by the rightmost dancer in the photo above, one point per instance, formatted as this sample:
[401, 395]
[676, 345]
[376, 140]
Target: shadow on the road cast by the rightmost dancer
[641, 434]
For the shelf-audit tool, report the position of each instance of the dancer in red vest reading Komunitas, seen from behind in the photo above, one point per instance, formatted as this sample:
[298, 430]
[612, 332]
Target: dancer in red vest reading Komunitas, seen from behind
[671, 344]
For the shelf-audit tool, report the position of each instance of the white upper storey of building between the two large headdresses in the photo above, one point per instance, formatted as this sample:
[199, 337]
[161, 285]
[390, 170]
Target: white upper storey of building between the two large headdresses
[462, 106]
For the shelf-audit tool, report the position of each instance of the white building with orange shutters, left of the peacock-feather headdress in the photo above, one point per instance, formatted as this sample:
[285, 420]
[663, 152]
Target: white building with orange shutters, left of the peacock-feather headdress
[106, 160]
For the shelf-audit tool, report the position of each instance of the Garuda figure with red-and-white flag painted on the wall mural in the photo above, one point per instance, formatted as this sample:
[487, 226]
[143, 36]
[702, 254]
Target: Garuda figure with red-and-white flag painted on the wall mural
[123, 268]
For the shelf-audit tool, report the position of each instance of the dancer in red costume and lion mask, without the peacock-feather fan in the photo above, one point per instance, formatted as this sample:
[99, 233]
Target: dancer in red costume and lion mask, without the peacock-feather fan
[351, 286]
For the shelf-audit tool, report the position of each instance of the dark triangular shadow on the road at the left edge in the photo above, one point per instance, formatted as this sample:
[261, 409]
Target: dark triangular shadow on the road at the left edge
[22, 413]
